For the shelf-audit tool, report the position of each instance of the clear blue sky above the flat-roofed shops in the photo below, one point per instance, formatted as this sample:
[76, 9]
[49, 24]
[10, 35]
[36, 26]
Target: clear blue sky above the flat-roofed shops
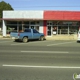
[67, 5]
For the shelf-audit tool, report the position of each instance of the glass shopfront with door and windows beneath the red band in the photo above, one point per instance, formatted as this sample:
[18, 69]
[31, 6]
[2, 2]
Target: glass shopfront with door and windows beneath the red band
[62, 27]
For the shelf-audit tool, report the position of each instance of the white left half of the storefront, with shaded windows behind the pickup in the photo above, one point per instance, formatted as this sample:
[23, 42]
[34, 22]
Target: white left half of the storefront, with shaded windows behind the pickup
[19, 20]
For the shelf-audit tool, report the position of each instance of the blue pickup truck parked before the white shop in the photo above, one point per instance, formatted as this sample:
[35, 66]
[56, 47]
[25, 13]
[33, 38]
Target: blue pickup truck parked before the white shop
[26, 35]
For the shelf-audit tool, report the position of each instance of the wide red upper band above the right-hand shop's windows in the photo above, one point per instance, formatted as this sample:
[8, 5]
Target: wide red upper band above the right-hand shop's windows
[62, 15]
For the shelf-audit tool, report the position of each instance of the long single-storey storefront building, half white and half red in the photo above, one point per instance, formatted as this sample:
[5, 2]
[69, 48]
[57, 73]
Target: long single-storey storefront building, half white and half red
[48, 22]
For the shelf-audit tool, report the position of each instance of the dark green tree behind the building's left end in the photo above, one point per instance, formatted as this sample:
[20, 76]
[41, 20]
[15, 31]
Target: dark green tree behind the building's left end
[4, 6]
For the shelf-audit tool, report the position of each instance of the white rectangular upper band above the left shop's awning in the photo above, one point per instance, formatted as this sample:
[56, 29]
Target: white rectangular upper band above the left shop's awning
[23, 14]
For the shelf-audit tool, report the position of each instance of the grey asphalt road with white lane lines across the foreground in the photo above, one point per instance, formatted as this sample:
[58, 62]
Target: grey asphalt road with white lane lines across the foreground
[39, 60]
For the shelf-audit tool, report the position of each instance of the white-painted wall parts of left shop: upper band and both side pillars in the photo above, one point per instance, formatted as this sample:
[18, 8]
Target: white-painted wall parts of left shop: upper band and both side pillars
[22, 15]
